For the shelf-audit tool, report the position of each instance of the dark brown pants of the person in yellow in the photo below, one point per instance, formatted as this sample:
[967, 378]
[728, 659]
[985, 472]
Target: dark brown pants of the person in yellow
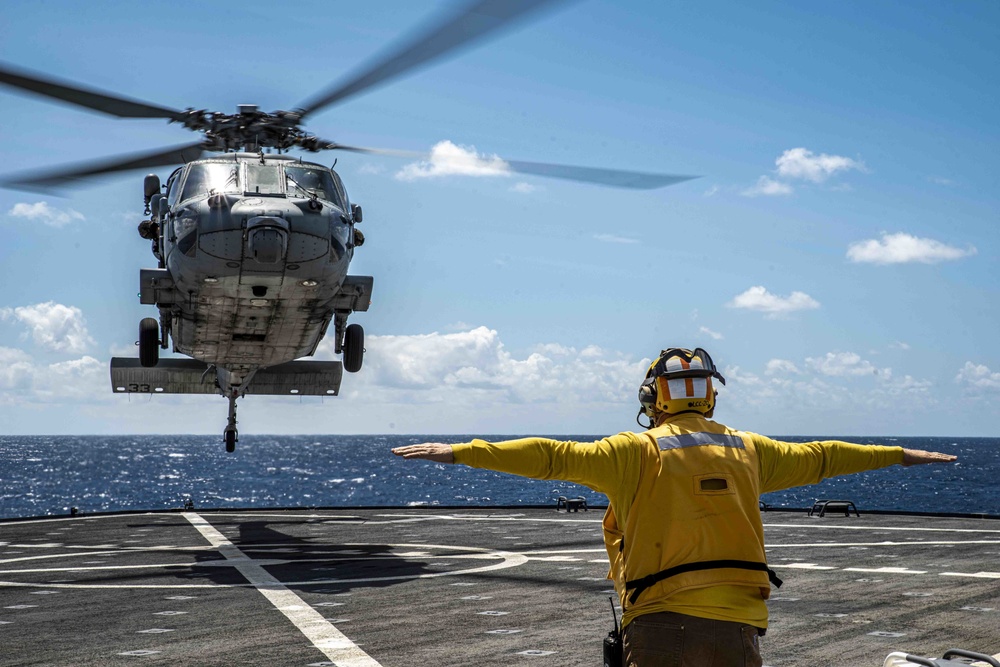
[677, 640]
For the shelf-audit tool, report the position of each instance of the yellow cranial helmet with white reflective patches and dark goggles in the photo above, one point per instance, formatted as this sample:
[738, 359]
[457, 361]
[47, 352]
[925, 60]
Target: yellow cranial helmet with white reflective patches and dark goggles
[679, 381]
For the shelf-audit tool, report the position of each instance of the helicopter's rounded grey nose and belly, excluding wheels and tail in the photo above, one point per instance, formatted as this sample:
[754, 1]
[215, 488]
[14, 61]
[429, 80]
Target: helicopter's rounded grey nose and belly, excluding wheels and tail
[256, 271]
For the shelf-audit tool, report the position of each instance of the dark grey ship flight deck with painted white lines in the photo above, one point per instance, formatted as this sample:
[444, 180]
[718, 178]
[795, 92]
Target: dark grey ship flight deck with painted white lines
[484, 586]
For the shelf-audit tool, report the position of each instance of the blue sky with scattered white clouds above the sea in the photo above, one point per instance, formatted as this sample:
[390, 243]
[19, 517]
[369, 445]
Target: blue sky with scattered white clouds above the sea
[837, 254]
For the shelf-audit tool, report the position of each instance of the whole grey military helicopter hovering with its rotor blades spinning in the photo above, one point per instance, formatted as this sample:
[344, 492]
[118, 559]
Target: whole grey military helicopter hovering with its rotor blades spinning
[253, 245]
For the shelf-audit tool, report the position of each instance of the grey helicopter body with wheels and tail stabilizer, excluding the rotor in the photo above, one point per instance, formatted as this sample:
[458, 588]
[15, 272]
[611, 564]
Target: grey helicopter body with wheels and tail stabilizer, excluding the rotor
[253, 253]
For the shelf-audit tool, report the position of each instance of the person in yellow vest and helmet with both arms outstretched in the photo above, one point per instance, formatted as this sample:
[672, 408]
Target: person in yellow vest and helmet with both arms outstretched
[683, 530]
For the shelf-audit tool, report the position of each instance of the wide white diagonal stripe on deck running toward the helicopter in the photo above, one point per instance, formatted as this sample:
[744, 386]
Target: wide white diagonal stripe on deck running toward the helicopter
[323, 635]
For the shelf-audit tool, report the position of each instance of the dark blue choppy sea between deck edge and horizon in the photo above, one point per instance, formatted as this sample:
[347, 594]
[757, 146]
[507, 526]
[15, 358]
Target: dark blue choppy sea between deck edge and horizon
[48, 475]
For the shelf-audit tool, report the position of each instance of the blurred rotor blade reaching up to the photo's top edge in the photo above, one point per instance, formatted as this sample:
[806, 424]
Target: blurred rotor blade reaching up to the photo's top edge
[474, 22]
